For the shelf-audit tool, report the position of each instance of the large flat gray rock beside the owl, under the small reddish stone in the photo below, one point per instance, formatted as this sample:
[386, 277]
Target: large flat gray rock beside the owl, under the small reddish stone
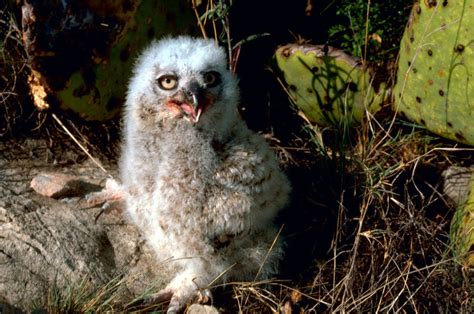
[49, 243]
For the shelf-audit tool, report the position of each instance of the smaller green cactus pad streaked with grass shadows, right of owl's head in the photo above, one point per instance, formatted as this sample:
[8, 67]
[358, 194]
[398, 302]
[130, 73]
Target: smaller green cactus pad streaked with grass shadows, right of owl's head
[327, 85]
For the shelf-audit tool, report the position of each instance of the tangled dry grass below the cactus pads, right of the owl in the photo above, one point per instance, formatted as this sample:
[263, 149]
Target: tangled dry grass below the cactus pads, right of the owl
[390, 251]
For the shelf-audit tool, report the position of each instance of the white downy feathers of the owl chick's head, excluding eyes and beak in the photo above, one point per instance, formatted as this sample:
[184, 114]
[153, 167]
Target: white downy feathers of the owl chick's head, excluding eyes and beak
[187, 59]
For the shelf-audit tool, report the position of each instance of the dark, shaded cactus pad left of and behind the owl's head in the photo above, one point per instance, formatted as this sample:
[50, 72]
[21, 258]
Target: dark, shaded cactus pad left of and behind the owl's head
[81, 52]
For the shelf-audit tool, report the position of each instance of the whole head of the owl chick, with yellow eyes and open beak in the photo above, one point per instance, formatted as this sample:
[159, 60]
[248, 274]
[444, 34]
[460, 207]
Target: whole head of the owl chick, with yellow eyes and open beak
[183, 78]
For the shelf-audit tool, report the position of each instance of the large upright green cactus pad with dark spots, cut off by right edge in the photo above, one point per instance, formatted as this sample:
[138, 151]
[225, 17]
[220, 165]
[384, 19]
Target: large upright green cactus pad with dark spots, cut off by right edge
[435, 82]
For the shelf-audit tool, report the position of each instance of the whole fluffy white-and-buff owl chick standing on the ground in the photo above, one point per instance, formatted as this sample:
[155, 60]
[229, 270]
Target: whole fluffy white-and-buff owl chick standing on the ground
[202, 188]
